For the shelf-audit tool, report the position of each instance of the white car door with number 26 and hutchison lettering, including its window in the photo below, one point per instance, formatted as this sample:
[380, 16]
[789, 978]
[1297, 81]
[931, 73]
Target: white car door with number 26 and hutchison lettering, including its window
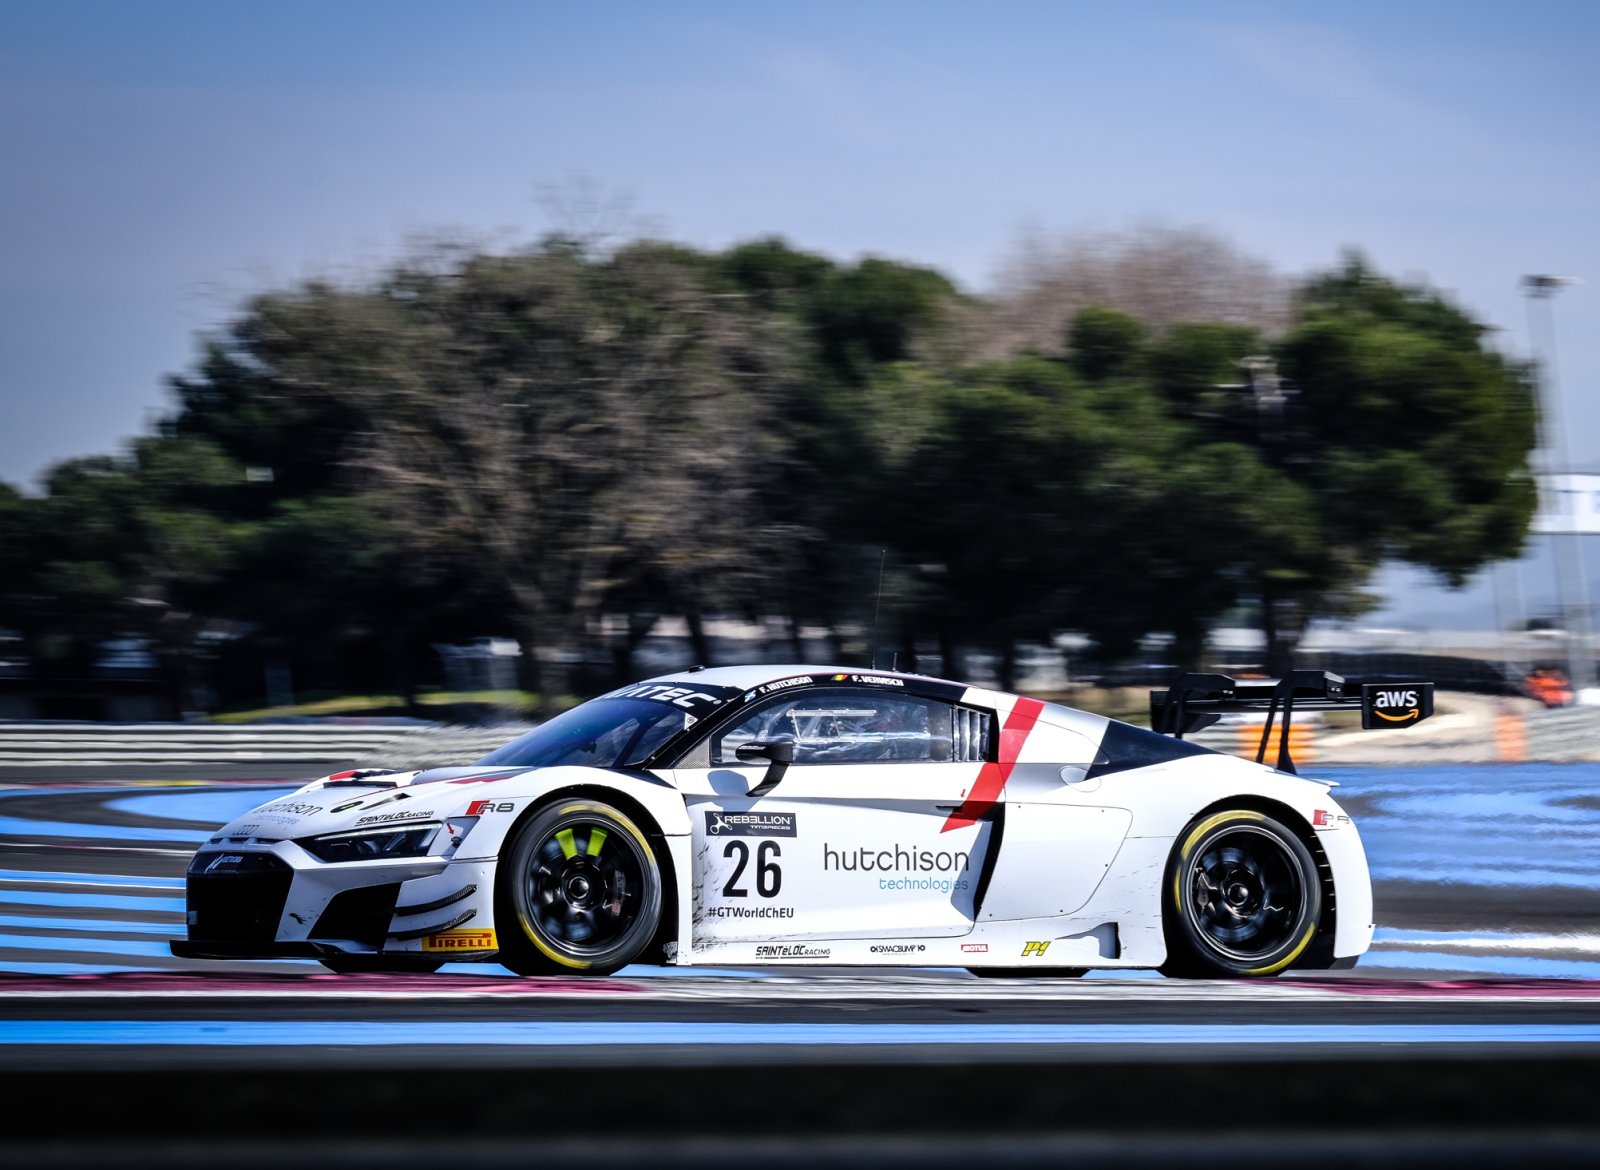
[860, 838]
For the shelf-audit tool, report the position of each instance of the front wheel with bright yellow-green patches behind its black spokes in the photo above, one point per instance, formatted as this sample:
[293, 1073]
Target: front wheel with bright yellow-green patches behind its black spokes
[578, 892]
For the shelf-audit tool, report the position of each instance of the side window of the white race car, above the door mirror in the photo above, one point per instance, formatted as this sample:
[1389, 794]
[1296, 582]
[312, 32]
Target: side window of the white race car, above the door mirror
[862, 727]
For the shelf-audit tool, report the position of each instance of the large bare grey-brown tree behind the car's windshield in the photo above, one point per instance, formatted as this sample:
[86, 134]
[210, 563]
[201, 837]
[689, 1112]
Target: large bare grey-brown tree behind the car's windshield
[578, 428]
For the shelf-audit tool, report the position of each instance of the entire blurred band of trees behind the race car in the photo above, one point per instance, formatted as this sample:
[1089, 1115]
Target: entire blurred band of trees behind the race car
[564, 444]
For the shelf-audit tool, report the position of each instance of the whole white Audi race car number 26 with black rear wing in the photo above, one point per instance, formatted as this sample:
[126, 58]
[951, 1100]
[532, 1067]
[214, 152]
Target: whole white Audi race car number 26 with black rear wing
[818, 815]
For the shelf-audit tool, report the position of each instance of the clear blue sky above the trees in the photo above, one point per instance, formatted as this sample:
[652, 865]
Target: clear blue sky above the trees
[162, 161]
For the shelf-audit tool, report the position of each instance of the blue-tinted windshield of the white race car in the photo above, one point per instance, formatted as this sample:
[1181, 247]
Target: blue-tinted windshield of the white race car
[602, 734]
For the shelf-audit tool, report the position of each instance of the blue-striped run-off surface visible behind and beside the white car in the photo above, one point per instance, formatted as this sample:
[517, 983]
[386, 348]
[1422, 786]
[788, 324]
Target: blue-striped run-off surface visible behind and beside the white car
[1479, 870]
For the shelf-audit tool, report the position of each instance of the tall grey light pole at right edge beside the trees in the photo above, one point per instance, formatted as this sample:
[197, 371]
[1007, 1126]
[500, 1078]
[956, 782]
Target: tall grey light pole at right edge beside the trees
[1570, 580]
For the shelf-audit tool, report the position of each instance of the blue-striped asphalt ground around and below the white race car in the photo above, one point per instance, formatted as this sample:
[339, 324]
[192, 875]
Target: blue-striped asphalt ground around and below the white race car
[1470, 1036]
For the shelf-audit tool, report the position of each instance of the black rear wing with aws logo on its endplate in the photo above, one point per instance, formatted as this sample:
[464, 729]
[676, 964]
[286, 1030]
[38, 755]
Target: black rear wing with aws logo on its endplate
[1199, 700]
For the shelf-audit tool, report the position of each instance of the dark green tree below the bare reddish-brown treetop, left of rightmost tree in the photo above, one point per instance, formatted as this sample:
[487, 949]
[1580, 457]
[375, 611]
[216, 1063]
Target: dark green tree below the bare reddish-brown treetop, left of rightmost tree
[1033, 500]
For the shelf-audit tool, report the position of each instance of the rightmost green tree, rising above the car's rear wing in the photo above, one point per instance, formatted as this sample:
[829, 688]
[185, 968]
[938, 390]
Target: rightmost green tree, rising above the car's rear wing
[1409, 438]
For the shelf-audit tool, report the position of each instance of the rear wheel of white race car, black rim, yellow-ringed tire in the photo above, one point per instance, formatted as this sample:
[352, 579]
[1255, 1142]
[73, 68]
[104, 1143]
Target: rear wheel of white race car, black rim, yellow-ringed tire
[1242, 899]
